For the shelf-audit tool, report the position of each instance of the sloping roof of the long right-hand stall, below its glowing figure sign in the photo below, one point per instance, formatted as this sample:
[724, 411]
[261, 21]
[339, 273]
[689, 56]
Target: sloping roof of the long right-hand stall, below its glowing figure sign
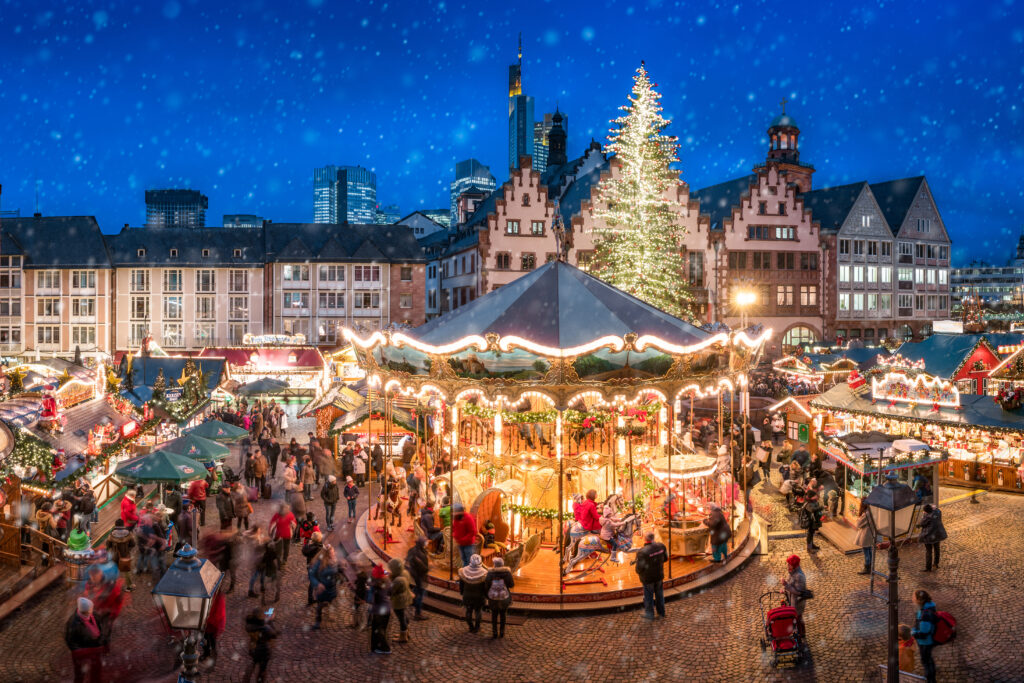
[979, 412]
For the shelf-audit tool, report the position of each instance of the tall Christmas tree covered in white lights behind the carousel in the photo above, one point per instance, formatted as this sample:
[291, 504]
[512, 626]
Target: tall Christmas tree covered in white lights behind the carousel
[637, 248]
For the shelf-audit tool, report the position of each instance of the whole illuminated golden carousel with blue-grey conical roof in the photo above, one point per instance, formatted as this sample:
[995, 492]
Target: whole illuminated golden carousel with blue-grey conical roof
[550, 389]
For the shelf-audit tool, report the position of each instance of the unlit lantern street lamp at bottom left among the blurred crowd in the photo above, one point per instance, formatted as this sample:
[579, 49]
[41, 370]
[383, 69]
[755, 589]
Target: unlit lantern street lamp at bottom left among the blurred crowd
[185, 594]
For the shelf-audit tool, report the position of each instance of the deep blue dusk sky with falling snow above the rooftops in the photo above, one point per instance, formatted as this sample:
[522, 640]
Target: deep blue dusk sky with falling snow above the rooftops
[242, 100]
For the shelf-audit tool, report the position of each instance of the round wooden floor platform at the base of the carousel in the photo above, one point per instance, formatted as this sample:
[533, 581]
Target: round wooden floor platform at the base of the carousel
[538, 590]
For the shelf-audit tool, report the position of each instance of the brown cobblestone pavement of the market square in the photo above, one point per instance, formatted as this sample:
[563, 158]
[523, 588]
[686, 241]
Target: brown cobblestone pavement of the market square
[712, 636]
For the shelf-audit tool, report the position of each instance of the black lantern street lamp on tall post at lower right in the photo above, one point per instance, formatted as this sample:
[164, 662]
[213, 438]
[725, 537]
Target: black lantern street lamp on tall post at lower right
[892, 509]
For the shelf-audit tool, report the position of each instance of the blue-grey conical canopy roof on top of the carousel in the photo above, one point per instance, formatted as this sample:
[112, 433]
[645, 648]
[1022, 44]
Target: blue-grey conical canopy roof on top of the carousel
[559, 307]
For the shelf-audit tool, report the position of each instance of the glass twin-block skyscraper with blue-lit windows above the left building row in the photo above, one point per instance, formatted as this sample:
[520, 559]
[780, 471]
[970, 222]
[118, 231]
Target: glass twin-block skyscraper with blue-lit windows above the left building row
[345, 194]
